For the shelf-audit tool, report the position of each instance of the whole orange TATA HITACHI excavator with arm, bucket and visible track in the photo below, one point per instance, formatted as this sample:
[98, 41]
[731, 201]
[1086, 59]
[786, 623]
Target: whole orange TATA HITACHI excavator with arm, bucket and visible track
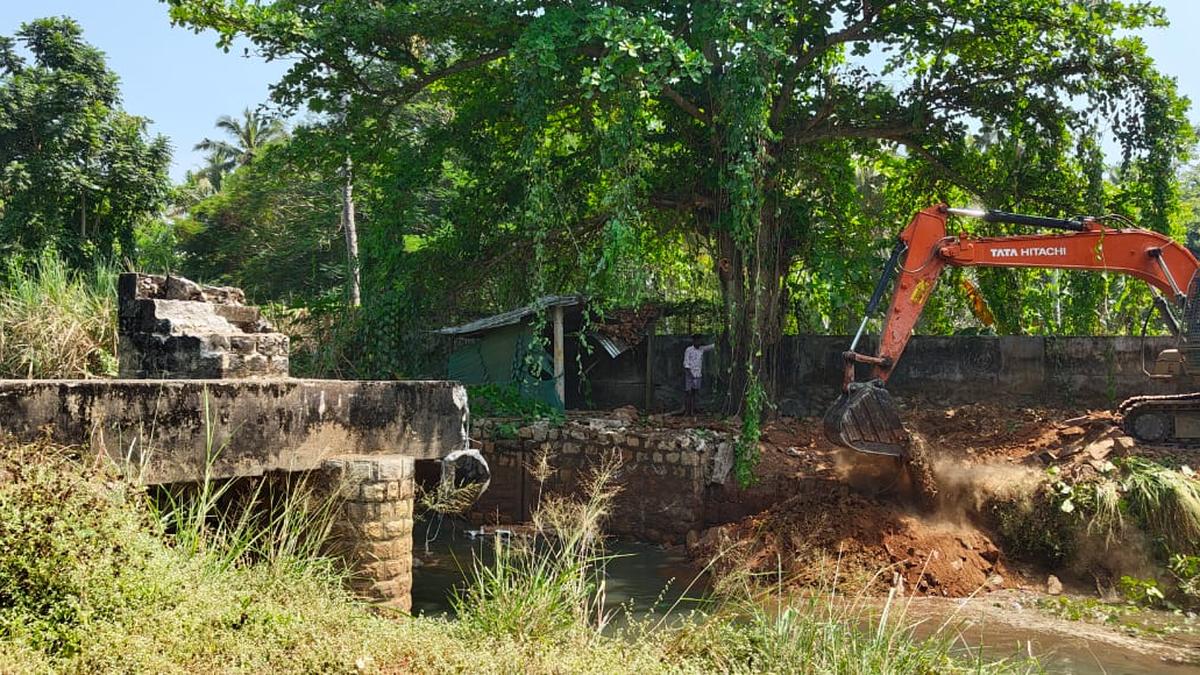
[866, 417]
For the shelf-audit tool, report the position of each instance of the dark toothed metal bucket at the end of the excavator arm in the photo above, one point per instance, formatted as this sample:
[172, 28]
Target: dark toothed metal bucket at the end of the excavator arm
[866, 419]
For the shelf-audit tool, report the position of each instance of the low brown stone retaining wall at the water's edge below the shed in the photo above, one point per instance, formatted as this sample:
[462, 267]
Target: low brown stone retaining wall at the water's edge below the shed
[663, 475]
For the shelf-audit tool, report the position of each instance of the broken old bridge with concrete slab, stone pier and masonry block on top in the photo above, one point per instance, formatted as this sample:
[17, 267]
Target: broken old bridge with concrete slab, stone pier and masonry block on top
[207, 399]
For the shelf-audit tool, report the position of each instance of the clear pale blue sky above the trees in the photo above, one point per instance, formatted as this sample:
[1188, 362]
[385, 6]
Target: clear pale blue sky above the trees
[184, 83]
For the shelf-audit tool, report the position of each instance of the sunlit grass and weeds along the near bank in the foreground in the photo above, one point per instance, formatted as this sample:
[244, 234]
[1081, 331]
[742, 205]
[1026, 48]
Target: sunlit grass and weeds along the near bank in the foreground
[97, 578]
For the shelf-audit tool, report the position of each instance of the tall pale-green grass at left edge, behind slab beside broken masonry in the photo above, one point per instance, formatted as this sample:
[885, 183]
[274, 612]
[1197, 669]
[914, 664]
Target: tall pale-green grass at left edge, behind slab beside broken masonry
[56, 322]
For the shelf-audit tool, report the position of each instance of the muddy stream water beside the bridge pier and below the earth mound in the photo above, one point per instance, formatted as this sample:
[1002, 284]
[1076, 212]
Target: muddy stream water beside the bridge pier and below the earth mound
[650, 580]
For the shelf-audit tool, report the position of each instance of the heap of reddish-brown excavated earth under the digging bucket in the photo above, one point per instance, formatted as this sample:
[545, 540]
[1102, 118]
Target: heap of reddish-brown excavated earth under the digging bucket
[821, 516]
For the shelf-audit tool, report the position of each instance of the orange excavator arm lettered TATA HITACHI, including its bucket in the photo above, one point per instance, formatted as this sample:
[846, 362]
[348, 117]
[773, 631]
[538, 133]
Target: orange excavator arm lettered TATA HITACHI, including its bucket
[865, 417]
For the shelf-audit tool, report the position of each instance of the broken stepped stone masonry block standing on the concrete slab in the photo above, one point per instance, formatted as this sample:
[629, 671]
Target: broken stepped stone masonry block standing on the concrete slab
[170, 327]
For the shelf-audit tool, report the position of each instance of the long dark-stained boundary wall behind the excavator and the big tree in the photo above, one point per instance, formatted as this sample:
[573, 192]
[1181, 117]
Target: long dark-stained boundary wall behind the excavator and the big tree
[1095, 372]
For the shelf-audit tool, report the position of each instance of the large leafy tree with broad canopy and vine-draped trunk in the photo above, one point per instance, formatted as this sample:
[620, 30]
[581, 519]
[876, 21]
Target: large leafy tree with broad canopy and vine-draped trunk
[746, 123]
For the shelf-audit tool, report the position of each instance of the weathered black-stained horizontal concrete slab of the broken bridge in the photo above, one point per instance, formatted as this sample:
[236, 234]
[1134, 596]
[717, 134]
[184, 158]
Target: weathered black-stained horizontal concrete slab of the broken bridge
[170, 428]
